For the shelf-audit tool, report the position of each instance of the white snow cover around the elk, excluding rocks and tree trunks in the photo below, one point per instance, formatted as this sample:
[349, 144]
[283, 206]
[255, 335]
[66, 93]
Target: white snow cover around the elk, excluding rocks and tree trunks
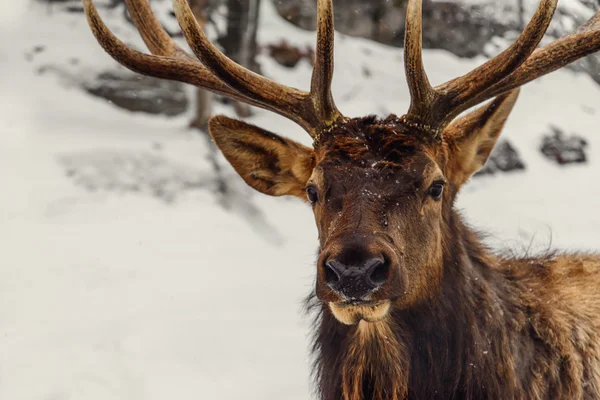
[122, 296]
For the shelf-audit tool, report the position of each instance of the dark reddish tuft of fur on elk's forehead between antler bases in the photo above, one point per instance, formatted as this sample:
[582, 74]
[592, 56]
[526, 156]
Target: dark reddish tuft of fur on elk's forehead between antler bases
[362, 141]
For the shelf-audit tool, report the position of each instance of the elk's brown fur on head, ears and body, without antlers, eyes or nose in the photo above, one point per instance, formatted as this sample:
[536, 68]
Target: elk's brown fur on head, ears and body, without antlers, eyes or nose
[464, 323]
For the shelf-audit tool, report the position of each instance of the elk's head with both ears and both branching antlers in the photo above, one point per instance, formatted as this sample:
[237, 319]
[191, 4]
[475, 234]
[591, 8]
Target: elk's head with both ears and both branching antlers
[380, 189]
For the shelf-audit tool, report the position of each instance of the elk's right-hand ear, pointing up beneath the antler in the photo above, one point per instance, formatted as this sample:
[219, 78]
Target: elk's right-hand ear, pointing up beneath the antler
[471, 138]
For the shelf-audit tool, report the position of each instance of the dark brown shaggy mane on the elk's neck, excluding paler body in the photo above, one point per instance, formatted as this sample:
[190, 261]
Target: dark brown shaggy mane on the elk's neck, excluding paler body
[451, 346]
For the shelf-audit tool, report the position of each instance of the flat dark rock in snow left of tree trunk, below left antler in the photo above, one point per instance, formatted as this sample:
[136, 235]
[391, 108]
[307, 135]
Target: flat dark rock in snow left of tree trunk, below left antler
[139, 93]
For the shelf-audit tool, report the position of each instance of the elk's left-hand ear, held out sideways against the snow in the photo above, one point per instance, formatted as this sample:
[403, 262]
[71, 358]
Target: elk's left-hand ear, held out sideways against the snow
[269, 163]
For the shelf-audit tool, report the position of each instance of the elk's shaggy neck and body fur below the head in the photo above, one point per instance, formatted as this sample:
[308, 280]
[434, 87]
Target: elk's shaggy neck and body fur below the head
[497, 329]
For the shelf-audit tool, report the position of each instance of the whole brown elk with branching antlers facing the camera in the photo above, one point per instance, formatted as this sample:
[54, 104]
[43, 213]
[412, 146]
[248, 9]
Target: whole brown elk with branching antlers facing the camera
[409, 303]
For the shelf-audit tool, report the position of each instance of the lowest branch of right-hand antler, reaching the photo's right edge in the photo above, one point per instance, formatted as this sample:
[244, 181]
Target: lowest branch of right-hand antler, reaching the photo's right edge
[562, 52]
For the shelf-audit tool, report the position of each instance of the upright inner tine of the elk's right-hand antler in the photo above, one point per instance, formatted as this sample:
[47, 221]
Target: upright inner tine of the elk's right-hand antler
[421, 92]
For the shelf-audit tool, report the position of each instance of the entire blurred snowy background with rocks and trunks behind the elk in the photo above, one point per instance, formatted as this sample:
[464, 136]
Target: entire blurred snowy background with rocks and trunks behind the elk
[135, 264]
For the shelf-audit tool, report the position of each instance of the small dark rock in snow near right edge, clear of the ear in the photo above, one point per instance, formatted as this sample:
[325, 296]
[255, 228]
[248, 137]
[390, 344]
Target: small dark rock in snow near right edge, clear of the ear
[564, 149]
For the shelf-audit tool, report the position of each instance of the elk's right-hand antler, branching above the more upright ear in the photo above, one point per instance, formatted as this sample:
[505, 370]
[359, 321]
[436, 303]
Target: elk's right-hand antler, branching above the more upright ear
[433, 108]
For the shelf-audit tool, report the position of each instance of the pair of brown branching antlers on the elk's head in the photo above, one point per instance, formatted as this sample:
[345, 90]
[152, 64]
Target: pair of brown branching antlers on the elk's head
[432, 108]
